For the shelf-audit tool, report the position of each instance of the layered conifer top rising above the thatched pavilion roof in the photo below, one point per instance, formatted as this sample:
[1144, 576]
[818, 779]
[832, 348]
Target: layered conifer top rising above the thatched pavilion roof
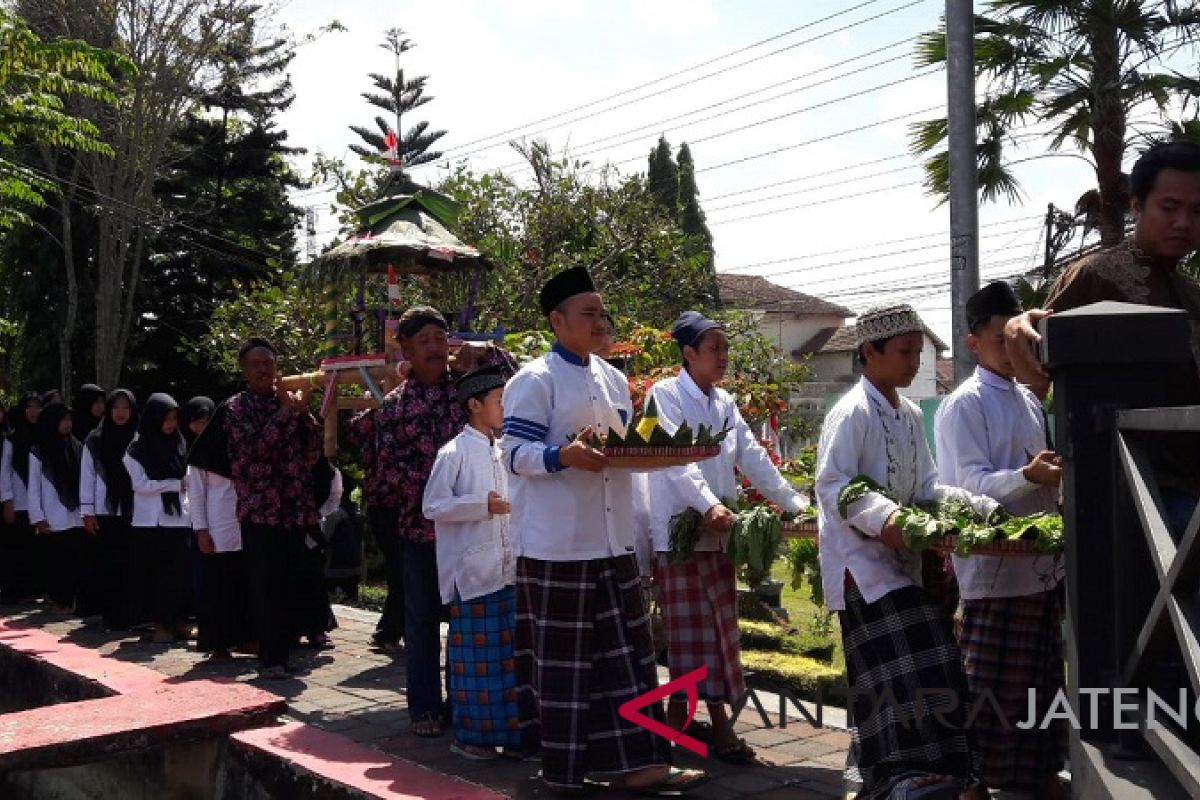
[399, 97]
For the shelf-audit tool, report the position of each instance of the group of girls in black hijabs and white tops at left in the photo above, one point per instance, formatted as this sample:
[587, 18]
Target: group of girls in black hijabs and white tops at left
[129, 514]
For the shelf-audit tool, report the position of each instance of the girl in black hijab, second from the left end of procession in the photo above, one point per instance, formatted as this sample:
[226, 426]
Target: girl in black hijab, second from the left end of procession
[55, 466]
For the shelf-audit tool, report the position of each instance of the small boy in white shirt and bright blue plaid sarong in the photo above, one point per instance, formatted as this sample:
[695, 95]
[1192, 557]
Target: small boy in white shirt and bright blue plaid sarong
[466, 500]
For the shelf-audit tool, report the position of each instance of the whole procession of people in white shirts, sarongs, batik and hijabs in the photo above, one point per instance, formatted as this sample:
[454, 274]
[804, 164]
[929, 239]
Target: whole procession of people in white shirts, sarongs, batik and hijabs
[490, 507]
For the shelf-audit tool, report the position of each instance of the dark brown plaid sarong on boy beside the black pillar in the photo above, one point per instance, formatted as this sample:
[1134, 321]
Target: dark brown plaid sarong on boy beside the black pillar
[1010, 646]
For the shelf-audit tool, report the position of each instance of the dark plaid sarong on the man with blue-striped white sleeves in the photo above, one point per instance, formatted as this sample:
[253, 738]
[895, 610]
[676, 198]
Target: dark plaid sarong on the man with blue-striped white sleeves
[584, 643]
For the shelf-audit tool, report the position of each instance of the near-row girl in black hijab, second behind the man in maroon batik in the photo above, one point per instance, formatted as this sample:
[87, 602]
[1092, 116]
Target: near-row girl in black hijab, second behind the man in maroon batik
[161, 530]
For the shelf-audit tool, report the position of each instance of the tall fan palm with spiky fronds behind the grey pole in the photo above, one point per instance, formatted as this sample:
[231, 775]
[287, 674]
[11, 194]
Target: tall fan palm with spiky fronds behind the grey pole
[1079, 69]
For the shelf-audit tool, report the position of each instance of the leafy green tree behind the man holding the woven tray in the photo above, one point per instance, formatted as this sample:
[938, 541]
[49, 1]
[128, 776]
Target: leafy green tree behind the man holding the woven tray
[649, 272]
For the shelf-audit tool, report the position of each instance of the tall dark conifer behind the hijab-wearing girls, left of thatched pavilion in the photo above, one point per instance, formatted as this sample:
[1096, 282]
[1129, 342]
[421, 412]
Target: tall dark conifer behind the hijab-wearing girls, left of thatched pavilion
[230, 221]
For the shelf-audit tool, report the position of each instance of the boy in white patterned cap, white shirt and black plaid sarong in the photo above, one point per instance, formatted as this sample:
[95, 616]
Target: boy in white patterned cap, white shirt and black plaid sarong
[902, 659]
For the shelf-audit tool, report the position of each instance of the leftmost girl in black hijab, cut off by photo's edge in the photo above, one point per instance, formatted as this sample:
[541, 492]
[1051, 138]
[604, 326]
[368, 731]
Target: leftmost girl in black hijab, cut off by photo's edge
[22, 573]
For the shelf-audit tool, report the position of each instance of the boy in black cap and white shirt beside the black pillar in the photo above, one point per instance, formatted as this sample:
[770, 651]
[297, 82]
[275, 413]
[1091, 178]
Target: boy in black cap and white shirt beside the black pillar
[992, 440]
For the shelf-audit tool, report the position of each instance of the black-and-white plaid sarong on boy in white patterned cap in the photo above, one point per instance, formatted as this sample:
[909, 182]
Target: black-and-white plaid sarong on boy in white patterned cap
[908, 709]
